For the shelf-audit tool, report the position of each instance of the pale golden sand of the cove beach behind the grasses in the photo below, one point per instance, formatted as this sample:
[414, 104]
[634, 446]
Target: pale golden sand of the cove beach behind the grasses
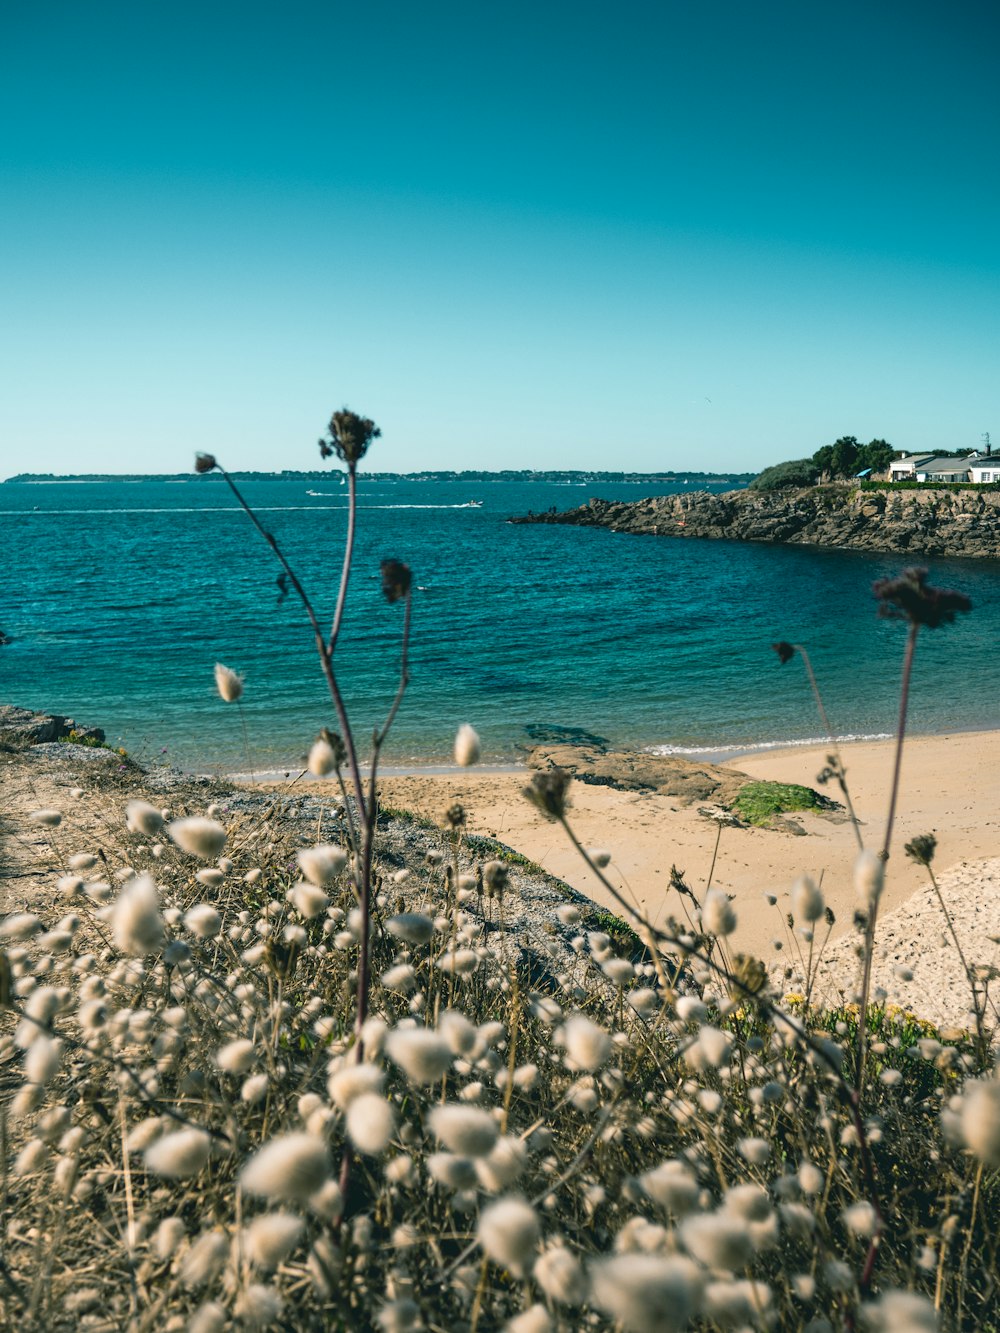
[949, 788]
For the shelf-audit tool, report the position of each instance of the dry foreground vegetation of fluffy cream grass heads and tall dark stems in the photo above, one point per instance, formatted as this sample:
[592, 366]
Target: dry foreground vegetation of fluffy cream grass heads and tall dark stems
[262, 1076]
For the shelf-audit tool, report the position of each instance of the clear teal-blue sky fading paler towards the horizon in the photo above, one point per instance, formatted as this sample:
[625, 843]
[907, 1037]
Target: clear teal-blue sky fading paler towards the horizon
[587, 235]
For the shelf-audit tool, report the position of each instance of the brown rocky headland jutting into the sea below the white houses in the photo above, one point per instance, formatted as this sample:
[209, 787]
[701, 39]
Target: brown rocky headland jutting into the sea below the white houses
[919, 523]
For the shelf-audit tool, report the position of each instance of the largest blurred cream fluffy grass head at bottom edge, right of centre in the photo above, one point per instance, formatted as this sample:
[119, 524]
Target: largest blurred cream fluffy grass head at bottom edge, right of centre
[647, 1294]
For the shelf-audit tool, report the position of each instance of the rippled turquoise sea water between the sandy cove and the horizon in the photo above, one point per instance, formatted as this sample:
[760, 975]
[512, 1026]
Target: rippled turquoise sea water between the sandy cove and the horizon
[119, 599]
